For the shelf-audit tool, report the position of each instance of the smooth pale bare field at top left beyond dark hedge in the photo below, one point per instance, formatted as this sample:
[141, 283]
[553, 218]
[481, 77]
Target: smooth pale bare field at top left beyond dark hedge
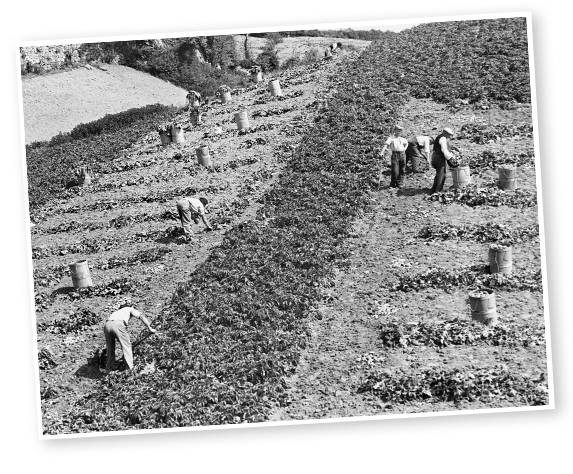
[58, 102]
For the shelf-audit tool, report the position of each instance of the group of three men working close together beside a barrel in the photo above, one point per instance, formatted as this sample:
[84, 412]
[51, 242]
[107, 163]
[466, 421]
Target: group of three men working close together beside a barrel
[416, 150]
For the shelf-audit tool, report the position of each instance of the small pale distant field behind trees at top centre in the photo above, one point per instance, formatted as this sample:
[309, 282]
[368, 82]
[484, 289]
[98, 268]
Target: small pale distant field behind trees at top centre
[298, 45]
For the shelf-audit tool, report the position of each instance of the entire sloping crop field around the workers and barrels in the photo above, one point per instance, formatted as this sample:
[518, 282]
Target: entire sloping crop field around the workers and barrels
[322, 292]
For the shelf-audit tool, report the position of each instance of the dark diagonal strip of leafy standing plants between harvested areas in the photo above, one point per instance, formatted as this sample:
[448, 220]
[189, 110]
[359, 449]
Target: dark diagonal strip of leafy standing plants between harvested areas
[236, 329]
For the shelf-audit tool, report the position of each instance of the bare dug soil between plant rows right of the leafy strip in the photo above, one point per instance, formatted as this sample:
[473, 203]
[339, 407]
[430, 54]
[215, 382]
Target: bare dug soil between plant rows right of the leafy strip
[346, 346]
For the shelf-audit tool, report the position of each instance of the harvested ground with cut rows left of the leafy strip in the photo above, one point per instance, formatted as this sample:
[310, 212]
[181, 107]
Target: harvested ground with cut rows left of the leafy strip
[254, 161]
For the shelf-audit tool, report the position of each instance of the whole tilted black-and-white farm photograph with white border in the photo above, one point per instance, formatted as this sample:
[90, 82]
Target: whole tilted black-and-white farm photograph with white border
[290, 225]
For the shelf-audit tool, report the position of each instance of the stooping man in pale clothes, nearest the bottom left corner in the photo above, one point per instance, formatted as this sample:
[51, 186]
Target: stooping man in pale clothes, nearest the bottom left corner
[116, 328]
